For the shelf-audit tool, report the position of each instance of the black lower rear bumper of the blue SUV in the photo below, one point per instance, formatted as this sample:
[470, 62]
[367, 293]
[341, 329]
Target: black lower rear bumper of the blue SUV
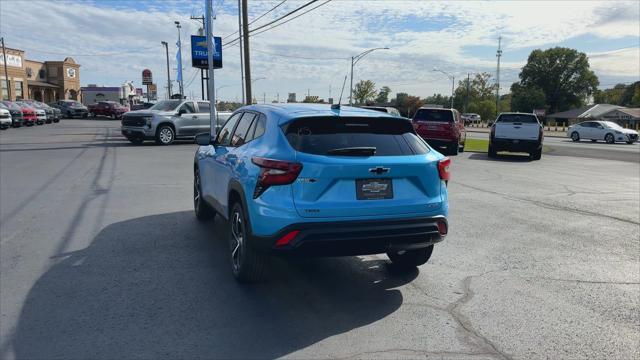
[345, 238]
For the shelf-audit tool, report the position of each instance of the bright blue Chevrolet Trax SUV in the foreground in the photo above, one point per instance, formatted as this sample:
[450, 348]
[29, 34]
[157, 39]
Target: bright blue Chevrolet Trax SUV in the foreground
[317, 180]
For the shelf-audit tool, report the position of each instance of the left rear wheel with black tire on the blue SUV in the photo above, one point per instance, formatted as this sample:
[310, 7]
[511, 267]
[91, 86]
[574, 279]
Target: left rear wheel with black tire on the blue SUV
[247, 265]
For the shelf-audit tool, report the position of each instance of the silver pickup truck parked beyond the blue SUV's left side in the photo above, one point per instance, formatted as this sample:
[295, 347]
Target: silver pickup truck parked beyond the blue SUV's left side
[168, 120]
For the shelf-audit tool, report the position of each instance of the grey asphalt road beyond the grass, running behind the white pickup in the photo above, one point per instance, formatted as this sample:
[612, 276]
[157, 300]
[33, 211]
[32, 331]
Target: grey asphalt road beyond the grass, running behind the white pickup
[584, 148]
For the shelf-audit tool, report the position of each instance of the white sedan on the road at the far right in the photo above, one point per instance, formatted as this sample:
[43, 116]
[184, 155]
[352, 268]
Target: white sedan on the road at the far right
[608, 131]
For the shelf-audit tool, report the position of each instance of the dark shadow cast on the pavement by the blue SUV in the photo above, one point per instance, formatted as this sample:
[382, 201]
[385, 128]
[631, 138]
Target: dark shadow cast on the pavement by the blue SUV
[160, 286]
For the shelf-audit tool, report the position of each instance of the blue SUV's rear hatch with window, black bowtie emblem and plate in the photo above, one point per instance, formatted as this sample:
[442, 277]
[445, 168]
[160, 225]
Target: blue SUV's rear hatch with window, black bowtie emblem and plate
[367, 166]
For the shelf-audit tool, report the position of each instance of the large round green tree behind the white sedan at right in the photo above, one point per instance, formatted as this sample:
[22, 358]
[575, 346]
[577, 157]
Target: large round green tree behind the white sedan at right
[562, 74]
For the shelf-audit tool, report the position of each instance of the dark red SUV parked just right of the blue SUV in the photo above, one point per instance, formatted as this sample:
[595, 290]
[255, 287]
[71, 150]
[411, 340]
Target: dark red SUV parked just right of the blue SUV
[441, 128]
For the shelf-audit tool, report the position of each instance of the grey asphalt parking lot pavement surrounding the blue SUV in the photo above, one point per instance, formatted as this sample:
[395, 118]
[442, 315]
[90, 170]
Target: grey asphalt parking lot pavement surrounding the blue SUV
[101, 257]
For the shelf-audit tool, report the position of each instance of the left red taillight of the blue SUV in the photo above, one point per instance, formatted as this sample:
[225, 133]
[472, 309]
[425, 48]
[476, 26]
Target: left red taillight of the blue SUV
[274, 172]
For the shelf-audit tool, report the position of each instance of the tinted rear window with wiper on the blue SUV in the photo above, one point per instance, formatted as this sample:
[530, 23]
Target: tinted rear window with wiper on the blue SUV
[324, 135]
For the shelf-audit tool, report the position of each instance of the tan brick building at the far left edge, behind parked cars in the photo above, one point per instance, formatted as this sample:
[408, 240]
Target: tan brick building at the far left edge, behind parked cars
[46, 81]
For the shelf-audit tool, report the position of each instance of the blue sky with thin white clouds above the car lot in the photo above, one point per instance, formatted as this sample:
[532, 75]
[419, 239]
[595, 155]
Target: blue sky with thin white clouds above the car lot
[114, 41]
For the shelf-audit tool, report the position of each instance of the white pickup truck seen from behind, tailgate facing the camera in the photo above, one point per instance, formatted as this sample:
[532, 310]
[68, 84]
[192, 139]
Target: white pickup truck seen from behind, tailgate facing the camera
[516, 132]
